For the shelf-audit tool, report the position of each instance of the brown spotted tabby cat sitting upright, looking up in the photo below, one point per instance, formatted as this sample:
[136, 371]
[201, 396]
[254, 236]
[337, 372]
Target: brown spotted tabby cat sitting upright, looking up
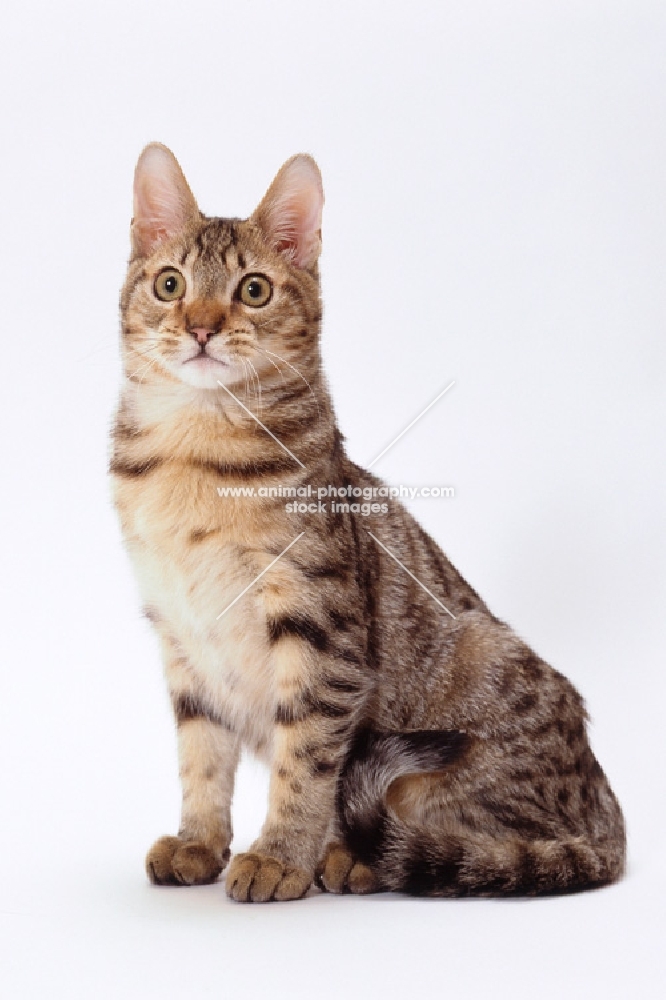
[410, 748]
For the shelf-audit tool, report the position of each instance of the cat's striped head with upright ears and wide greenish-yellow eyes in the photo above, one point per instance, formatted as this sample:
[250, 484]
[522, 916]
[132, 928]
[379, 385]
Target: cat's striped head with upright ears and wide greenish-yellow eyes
[206, 299]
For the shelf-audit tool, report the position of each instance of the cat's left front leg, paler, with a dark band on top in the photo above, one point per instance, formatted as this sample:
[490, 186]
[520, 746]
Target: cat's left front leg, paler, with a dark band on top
[208, 755]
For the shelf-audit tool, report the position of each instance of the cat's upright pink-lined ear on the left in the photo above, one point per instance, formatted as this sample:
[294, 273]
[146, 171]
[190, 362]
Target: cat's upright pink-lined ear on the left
[163, 202]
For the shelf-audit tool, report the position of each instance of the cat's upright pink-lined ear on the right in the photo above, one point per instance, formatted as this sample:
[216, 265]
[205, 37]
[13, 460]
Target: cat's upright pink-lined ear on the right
[290, 214]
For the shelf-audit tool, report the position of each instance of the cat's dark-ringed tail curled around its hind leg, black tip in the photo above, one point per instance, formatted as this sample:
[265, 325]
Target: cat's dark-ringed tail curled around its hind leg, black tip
[422, 860]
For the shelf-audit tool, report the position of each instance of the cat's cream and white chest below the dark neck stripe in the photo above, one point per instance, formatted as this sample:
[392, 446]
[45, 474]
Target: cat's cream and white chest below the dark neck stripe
[204, 566]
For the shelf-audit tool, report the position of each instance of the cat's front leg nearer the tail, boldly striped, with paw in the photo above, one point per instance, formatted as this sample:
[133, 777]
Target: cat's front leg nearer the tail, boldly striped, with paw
[319, 701]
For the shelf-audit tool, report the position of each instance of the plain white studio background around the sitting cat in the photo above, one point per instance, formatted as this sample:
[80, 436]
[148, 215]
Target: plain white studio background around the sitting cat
[495, 180]
